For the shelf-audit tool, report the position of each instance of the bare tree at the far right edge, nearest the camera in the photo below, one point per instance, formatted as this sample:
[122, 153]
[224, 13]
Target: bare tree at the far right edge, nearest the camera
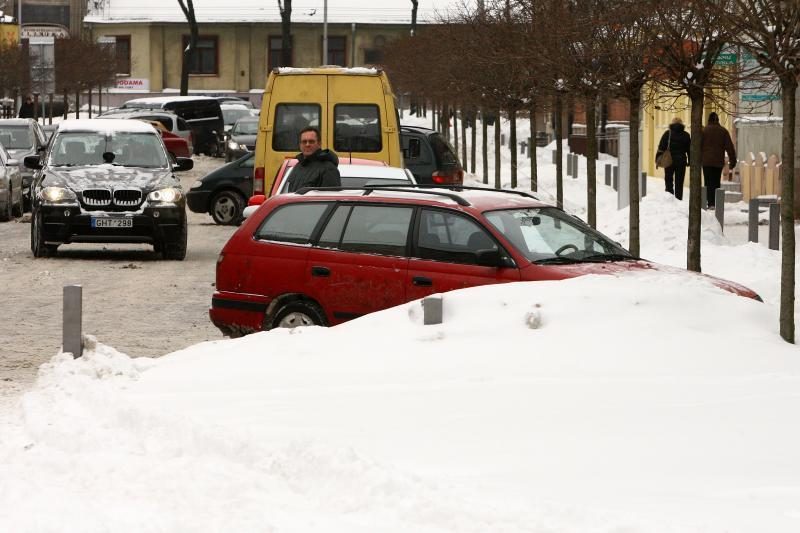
[769, 30]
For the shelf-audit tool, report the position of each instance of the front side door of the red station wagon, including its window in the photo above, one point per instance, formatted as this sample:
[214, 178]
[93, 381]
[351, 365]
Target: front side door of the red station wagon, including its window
[444, 255]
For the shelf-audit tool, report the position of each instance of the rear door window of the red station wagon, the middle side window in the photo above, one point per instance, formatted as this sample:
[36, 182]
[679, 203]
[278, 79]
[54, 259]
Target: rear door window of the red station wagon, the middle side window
[379, 230]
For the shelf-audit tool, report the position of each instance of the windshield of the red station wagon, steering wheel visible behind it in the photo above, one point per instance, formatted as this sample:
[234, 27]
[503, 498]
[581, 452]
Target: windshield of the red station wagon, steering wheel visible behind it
[545, 233]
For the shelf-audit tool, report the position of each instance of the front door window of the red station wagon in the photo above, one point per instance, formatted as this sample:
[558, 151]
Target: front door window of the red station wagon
[451, 237]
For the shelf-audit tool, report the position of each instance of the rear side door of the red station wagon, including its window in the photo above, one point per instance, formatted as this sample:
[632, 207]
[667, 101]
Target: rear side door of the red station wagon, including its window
[359, 263]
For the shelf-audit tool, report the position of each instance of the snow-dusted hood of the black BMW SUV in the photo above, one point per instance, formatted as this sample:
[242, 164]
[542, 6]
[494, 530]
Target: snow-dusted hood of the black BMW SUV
[109, 177]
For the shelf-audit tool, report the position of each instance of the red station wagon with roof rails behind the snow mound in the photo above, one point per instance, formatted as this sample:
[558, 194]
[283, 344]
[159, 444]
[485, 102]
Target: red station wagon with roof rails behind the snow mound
[324, 256]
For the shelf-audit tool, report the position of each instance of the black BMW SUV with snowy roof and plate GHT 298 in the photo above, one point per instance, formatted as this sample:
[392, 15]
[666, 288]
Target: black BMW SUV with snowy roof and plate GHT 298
[104, 181]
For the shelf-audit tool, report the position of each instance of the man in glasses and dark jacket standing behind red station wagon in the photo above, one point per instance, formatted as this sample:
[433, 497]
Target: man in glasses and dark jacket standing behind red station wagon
[317, 167]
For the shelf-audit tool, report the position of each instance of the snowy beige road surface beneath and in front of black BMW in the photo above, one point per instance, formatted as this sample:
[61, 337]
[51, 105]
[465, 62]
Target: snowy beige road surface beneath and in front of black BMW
[133, 300]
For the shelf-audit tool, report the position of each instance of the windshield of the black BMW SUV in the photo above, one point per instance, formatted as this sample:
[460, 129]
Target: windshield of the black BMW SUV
[130, 149]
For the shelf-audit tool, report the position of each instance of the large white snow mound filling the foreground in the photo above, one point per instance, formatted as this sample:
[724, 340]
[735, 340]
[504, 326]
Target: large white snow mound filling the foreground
[638, 403]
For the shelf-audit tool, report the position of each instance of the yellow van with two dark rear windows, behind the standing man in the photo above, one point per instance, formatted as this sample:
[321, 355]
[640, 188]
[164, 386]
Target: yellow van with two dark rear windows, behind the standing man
[352, 107]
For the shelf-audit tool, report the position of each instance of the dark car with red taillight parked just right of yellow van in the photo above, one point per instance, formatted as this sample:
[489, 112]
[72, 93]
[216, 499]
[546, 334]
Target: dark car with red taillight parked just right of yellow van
[428, 155]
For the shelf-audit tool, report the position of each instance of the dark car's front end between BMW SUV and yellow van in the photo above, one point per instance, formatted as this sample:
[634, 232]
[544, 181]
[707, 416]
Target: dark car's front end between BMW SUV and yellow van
[223, 193]
